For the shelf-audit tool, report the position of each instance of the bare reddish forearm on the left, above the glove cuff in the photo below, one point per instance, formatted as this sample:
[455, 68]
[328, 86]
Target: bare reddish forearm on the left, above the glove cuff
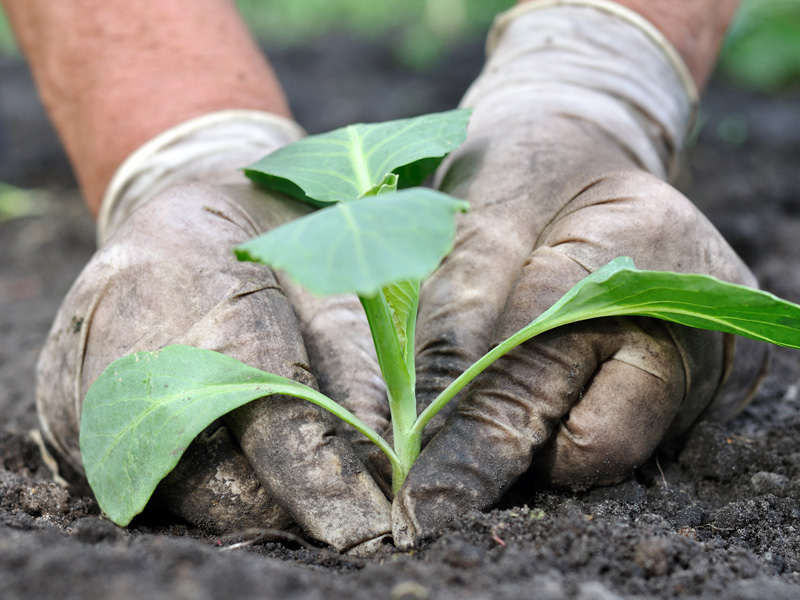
[114, 74]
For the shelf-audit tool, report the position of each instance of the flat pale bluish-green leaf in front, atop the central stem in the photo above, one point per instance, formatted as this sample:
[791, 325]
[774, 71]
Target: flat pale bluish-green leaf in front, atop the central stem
[364, 245]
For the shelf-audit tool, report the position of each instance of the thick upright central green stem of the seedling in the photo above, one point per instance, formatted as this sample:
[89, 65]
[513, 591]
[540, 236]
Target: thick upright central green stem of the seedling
[399, 385]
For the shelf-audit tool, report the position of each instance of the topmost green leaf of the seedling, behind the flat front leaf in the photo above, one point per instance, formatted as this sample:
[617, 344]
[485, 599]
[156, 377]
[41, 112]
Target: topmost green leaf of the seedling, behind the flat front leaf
[346, 163]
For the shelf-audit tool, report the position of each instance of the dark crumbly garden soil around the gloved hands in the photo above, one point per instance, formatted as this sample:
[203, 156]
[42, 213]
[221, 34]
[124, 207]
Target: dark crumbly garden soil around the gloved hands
[717, 516]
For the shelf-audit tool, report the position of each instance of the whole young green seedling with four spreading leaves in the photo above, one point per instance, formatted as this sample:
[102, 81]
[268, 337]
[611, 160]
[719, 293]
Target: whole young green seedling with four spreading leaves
[376, 241]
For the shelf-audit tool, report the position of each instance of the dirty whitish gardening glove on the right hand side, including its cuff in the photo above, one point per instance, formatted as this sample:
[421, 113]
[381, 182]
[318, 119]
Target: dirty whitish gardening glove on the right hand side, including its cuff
[578, 116]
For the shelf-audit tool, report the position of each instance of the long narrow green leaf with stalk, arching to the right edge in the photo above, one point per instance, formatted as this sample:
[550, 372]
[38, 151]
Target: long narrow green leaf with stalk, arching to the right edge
[619, 289]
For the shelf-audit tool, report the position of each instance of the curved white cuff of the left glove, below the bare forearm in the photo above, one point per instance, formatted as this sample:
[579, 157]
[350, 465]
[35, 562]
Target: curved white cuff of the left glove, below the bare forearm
[210, 148]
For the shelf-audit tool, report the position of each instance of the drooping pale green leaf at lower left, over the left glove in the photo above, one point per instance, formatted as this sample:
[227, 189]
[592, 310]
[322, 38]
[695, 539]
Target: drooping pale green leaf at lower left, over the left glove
[145, 409]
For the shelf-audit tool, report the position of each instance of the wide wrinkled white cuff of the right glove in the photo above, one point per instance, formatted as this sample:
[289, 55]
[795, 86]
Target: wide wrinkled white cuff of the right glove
[595, 61]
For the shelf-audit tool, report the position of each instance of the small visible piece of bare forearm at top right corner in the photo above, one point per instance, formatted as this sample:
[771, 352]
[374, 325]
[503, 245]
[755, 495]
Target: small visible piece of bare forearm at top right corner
[695, 27]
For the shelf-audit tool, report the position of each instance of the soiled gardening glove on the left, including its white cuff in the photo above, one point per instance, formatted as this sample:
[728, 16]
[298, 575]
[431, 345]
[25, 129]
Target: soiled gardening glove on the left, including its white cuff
[165, 273]
